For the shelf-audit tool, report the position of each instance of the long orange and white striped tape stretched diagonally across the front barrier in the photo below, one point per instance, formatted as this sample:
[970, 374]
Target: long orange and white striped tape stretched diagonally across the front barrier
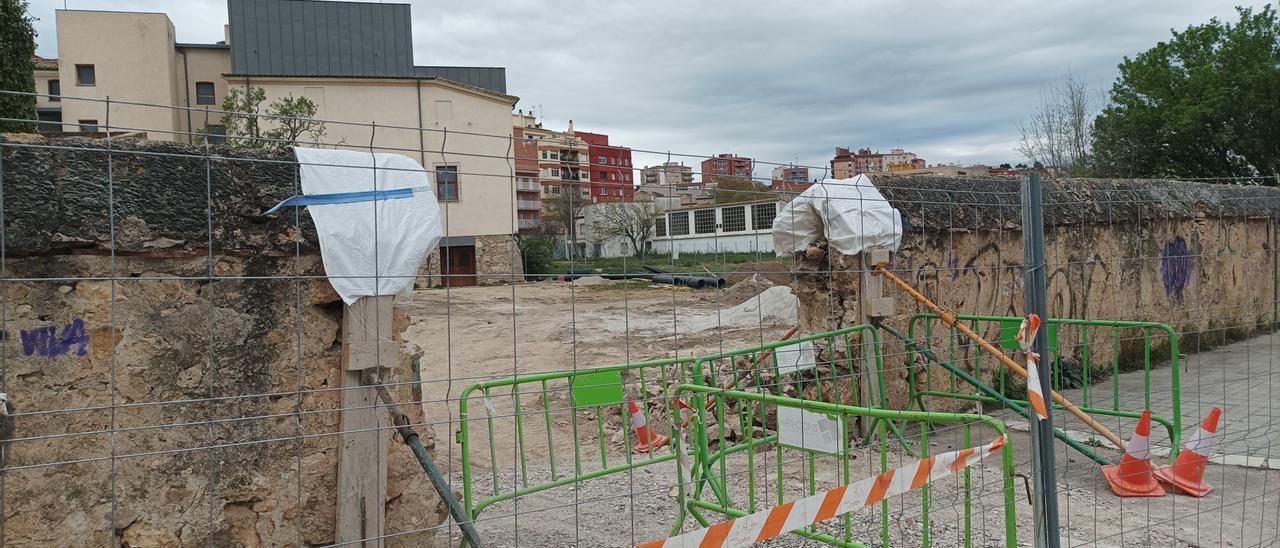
[772, 523]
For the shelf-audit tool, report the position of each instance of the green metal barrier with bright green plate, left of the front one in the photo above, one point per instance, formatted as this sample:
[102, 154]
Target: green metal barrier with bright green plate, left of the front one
[527, 405]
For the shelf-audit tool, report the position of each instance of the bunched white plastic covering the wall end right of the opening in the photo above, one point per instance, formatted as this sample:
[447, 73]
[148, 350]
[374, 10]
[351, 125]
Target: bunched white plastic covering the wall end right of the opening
[852, 214]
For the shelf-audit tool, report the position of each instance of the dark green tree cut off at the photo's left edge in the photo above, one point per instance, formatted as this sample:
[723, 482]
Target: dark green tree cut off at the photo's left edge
[17, 49]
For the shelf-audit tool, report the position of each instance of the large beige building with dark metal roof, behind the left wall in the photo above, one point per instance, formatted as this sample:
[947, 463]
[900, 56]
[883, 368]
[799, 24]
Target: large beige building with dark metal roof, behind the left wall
[456, 121]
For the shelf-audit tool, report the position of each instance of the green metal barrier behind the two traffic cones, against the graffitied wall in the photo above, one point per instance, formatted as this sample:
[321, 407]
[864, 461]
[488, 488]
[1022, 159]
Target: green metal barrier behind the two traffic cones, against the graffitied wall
[1008, 331]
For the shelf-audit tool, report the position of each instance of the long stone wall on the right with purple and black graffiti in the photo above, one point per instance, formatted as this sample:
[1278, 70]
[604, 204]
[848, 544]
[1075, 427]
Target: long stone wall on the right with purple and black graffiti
[1196, 257]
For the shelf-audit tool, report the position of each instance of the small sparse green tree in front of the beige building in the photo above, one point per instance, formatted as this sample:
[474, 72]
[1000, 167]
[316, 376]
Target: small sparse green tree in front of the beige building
[286, 120]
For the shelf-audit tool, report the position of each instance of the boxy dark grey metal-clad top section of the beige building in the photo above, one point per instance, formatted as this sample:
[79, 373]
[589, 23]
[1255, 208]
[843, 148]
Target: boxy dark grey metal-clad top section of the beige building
[305, 38]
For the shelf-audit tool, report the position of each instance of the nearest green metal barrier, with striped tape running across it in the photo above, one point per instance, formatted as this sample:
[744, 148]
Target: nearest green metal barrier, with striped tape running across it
[708, 472]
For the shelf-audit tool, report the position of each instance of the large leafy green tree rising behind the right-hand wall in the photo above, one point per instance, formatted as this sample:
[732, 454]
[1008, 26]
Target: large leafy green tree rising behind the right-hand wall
[1204, 104]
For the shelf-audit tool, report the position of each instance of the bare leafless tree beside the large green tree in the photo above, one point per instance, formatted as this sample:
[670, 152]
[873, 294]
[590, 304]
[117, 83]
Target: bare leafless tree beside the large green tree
[1059, 131]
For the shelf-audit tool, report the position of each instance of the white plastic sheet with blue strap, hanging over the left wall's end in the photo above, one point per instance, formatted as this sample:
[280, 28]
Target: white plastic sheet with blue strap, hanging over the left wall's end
[363, 258]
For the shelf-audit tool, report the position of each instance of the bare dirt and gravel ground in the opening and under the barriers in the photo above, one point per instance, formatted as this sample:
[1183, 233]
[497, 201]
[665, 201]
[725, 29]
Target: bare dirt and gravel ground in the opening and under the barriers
[470, 335]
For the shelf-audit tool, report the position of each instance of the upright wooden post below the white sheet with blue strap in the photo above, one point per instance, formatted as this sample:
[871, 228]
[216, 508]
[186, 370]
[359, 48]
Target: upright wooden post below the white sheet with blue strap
[367, 346]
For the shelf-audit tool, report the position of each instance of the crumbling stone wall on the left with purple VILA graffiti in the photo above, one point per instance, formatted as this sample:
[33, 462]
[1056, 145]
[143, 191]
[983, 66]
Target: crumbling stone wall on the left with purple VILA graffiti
[214, 357]
